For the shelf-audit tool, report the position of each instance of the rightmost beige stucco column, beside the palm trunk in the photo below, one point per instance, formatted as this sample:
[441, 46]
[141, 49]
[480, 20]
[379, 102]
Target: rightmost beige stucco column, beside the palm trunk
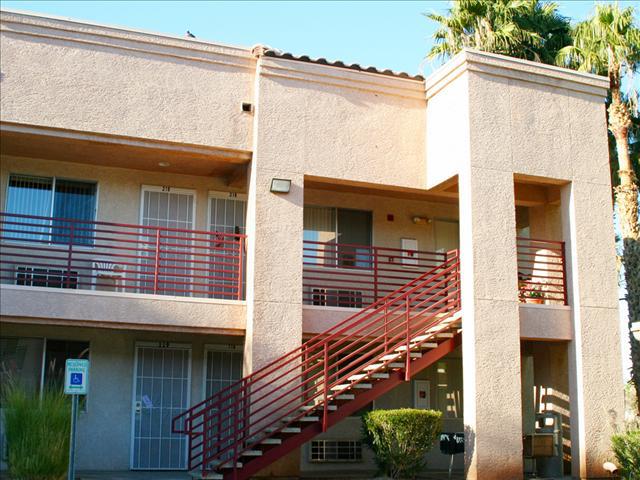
[595, 370]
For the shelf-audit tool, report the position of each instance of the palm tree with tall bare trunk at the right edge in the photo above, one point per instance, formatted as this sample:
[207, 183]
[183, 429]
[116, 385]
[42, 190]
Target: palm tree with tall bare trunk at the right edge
[609, 44]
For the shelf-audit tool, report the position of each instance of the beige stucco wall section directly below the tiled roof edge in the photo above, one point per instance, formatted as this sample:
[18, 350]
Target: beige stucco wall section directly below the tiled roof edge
[343, 124]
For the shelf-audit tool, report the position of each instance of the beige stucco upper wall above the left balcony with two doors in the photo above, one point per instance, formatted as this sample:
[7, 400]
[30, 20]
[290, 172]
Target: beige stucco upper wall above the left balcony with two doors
[63, 74]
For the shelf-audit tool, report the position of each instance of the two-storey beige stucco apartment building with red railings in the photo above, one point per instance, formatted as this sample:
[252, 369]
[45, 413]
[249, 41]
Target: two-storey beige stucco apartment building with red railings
[252, 248]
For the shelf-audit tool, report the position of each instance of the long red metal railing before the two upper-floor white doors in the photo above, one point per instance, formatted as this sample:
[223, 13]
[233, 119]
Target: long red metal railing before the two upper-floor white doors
[77, 254]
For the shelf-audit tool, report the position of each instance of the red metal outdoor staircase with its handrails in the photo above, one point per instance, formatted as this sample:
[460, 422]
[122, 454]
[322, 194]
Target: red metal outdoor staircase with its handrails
[267, 414]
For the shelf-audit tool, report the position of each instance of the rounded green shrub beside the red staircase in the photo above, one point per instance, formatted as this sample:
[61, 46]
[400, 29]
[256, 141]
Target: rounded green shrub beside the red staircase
[401, 438]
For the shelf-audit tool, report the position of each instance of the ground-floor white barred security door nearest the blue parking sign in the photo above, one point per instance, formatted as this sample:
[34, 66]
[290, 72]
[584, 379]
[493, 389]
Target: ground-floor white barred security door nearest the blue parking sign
[161, 390]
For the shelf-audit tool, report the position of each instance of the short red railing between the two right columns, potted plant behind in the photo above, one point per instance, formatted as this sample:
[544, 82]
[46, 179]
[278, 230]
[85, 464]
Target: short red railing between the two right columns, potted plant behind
[541, 271]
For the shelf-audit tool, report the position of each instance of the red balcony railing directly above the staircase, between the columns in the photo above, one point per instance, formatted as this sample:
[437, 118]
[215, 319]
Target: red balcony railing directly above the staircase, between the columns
[350, 275]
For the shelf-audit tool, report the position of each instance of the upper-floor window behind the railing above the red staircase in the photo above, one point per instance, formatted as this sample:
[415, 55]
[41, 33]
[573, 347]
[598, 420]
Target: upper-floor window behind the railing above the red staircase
[337, 237]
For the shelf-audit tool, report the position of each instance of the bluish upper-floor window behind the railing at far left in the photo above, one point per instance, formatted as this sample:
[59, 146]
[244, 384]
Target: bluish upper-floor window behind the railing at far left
[52, 197]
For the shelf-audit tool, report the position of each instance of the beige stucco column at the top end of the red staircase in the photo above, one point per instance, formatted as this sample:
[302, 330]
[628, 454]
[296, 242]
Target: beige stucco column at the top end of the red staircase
[490, 325]
